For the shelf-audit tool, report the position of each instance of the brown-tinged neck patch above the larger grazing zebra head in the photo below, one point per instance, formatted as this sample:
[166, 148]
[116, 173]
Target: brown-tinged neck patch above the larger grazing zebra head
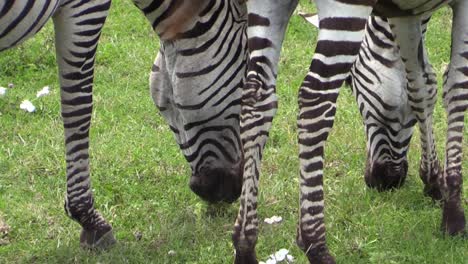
[171, 18]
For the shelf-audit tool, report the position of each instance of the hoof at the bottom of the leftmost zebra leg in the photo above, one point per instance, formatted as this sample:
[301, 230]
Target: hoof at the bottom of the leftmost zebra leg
[97, 239]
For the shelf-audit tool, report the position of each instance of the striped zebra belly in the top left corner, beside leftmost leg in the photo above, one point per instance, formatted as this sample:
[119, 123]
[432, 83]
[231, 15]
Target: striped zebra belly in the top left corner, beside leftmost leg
[20, 20]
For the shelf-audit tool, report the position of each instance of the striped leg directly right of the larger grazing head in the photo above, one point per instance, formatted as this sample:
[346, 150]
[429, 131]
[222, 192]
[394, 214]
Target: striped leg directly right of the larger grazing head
[267, 25]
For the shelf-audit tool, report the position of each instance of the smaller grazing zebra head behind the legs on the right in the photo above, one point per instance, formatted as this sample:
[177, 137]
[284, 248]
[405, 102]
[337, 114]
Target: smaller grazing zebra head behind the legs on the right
[379, 83]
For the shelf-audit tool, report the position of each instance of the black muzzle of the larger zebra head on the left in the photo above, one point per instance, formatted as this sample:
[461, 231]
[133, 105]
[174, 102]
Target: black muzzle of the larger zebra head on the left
[218, 184]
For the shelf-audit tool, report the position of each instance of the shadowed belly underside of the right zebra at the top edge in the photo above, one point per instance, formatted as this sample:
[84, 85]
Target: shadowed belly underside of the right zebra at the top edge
[398, 8]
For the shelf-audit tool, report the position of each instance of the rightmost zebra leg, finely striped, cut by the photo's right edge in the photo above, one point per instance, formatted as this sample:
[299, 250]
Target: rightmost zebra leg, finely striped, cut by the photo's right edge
[456, 104]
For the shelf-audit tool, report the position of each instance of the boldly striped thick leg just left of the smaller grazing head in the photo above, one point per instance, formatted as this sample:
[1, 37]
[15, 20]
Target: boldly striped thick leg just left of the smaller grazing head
[340, 38]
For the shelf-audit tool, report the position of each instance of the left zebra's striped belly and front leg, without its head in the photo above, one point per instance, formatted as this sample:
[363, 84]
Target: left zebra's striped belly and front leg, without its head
[78, 27]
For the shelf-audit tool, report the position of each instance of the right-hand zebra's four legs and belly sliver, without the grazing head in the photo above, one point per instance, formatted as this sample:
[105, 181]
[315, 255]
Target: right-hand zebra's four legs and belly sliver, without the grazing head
[342, 24]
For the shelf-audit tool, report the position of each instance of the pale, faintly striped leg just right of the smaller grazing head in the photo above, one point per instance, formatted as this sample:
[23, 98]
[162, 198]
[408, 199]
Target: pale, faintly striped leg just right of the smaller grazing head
[422, 95]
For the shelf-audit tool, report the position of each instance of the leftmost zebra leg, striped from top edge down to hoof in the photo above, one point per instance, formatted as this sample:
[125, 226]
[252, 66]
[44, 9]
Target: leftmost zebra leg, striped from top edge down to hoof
[78, 27]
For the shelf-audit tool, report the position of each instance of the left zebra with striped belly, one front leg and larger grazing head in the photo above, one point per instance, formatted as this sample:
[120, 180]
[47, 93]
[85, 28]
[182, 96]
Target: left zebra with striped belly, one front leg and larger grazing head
[199, 97]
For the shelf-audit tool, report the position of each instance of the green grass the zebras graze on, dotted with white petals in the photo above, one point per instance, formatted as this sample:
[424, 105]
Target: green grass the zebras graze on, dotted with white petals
[140, 178]
